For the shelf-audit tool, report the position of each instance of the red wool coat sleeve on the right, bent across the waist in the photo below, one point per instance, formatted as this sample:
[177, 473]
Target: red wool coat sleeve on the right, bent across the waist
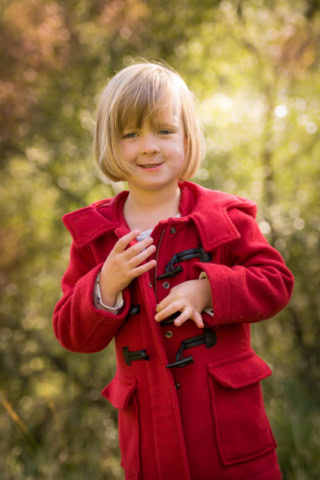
[255, 284]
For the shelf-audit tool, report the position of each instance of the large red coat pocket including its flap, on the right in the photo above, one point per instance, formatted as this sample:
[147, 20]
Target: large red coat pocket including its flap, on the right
[242, 428]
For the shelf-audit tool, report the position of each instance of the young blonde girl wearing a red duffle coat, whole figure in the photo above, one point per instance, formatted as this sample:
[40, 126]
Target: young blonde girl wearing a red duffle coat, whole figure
[175, 273]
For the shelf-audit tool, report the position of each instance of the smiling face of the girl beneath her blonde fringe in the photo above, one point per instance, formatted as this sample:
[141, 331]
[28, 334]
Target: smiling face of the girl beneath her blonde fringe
[156, 150]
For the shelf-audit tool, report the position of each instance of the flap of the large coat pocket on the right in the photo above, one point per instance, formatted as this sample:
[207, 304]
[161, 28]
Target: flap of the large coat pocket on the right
[241, 371]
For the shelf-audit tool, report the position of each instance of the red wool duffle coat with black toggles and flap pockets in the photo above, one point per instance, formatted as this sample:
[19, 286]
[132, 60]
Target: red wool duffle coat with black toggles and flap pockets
[205, 420]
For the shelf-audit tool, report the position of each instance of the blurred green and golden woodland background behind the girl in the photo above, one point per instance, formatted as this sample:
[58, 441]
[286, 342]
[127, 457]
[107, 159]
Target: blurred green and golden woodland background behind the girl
[254, 66]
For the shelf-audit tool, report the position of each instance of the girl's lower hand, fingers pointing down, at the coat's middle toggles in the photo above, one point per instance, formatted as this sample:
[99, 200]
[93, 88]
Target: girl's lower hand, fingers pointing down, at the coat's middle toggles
[190, 298]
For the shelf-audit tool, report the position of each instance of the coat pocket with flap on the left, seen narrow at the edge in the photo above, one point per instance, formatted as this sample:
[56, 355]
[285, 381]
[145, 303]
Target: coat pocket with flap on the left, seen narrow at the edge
[121, 392]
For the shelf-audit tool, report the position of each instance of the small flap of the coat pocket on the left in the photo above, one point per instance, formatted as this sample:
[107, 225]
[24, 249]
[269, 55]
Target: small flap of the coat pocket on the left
[119, 391]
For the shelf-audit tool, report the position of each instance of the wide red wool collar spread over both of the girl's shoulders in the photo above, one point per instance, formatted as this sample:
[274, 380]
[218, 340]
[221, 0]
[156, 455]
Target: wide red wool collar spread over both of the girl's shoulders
[208, 209]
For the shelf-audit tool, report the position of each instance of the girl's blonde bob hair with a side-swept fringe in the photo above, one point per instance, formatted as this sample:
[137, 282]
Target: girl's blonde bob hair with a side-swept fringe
[135, 93]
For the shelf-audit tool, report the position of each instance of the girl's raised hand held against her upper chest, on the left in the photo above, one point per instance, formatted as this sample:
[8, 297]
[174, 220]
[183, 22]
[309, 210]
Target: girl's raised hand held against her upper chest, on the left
[123, 265]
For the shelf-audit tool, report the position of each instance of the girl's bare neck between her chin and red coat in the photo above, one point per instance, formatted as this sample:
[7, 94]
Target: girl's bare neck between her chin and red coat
[145, 211]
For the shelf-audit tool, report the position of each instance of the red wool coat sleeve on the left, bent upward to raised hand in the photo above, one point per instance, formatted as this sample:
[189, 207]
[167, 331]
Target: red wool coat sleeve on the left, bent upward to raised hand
[77, 324]
